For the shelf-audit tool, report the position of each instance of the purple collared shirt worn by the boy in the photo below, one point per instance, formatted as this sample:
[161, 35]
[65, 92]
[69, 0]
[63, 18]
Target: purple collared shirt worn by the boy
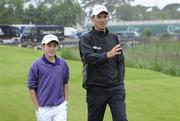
[48, 79]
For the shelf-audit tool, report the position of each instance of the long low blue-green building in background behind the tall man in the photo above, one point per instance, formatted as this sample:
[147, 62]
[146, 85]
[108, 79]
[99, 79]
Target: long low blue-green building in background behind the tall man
[156, 26]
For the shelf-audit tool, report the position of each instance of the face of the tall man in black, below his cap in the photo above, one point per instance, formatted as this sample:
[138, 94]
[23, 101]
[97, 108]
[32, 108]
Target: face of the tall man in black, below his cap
[100, 21]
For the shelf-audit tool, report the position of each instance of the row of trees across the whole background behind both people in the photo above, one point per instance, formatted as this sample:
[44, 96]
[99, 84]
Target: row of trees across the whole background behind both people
[71, 12]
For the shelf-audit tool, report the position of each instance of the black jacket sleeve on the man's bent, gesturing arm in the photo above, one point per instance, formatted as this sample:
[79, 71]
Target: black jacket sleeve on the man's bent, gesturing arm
[87, 53]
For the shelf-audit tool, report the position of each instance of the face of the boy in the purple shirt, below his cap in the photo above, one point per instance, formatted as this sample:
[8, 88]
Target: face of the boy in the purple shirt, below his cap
[50, 49]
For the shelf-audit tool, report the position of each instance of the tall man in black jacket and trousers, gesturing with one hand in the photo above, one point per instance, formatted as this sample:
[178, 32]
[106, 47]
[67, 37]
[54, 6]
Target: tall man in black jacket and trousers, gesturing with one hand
[103, 69]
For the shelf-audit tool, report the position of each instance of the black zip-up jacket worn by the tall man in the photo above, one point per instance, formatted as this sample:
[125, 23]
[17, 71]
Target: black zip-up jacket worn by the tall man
[98, 70]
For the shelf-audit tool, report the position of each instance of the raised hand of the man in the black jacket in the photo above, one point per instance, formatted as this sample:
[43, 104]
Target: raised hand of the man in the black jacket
[115, 51]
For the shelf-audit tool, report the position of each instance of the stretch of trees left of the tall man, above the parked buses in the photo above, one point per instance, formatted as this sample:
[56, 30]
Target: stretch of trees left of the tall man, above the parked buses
[66, 12]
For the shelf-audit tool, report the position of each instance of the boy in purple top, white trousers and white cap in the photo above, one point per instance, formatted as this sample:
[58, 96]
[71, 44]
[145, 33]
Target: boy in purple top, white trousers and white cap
[48, 83]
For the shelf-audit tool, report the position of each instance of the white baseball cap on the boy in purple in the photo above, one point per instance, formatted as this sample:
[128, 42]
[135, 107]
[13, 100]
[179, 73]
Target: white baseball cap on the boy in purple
[48, 38]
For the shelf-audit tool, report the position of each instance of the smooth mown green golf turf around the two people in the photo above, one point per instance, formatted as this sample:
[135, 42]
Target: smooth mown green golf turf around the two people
[151, 96]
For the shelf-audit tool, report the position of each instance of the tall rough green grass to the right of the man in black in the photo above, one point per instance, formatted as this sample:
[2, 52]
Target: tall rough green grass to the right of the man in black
[162, 56]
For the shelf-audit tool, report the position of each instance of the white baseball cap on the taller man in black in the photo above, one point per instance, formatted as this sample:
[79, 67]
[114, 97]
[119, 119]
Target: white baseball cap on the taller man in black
[98, 9]
